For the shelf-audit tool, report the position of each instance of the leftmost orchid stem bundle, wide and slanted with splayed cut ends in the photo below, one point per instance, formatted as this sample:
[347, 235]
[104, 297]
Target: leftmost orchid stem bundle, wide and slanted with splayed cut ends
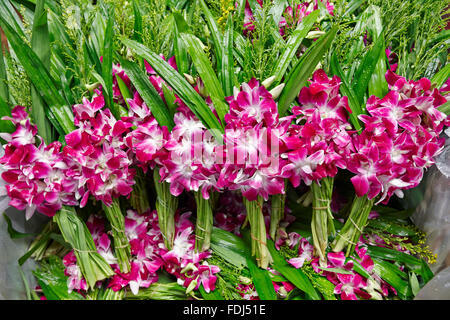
[93, 266]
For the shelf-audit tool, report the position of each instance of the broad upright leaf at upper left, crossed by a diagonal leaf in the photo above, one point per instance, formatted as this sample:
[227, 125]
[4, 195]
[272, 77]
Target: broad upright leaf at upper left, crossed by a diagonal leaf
[40, 43]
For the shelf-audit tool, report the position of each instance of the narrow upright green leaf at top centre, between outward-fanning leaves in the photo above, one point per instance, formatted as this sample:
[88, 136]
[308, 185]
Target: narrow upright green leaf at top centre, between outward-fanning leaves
[227, 71]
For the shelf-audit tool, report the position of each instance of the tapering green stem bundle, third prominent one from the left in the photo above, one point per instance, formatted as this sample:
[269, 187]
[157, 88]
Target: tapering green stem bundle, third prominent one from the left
[166, 205]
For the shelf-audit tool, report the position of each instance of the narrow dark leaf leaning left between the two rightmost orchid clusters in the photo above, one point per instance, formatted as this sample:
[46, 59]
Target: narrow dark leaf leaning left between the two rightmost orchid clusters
[346, 90]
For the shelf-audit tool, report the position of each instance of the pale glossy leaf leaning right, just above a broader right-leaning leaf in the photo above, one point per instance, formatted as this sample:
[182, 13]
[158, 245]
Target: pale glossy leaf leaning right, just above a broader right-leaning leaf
[293, 44]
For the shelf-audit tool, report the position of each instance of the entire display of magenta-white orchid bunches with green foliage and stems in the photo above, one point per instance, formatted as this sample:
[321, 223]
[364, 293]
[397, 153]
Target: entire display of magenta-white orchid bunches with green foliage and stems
[222, 150]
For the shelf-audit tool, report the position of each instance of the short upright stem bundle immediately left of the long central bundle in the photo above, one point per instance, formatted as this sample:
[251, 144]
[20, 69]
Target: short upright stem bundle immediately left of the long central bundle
[203, 227]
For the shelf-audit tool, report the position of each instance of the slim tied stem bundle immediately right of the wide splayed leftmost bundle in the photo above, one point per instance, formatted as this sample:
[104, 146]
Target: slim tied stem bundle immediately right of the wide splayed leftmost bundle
[121, 245]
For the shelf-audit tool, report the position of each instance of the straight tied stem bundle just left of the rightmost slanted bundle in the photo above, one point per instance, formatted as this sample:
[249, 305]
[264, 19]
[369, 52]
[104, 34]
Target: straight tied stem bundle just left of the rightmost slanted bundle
[322, 219]
